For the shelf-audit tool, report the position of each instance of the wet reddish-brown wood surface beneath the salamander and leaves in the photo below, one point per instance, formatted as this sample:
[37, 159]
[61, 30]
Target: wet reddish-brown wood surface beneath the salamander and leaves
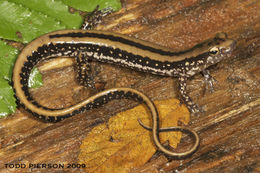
[229, 127]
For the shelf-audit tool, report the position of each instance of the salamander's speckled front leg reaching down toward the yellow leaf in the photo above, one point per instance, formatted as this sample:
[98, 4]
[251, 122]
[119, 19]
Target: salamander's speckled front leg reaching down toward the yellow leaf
[193, 108]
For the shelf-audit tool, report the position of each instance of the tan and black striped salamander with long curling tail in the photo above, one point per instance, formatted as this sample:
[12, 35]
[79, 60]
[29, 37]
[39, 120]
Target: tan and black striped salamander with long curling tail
[120, 50]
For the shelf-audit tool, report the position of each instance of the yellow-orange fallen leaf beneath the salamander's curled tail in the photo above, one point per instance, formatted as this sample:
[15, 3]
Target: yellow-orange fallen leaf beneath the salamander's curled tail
[122, 144]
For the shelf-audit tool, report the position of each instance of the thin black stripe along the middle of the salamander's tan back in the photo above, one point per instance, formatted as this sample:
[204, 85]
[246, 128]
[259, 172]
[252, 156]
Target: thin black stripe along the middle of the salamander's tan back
[122, 40]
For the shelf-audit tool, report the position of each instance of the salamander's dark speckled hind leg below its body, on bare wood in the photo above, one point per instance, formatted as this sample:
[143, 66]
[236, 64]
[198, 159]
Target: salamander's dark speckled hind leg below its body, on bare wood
[84, 72]
